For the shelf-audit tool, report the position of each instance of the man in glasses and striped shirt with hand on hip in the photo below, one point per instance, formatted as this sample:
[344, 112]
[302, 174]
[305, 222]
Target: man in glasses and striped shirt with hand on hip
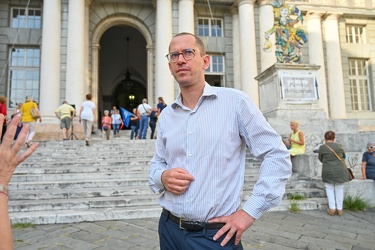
[199, 161]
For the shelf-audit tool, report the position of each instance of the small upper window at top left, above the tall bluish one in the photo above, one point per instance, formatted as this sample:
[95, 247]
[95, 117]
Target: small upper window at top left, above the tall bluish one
[26, 18]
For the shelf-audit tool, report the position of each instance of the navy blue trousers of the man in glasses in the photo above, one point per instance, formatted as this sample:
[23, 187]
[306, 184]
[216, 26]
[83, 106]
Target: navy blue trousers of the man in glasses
[171, 237]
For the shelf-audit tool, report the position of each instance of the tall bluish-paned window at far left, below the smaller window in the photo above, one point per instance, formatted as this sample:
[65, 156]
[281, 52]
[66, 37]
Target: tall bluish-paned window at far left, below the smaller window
[23, 75]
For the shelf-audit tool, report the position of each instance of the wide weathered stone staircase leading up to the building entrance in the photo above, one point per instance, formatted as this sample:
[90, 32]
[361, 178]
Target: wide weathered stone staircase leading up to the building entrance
[66, 182]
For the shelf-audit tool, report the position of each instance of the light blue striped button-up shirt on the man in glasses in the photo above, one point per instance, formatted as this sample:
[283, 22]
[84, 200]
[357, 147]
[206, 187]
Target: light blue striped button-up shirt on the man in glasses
[210, 143]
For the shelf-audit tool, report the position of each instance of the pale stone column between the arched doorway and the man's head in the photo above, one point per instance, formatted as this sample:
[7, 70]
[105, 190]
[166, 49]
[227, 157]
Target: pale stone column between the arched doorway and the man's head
[164, 84]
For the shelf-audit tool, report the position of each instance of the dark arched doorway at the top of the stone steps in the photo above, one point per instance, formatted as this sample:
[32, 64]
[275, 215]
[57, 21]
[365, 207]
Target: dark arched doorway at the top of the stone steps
[122, 68]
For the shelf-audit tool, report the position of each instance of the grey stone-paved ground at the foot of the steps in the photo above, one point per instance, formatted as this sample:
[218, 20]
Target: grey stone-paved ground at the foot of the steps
[274, 231]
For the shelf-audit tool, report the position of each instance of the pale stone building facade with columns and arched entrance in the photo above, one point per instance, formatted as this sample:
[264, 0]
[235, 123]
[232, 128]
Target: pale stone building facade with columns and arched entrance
[115, 49]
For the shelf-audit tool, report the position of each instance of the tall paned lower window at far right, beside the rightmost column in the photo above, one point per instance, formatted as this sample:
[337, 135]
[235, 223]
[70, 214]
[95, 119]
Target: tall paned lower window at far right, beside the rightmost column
[359, 85]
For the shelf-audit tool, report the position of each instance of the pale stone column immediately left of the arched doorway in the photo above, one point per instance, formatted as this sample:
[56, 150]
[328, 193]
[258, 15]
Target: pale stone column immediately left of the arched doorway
[75, 66]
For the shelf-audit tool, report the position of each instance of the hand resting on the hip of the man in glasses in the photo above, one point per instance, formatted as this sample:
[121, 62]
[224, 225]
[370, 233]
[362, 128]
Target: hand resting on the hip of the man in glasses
[235, 224]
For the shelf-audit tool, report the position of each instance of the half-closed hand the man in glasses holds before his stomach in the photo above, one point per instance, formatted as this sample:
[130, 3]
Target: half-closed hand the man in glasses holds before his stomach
[176, 180]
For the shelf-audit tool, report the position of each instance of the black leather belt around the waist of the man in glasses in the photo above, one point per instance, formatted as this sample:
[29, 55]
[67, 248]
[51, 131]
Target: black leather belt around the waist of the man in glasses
[191, 225]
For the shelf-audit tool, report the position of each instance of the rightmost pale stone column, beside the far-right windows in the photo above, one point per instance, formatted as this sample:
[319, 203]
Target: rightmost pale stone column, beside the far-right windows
[336, 94]
